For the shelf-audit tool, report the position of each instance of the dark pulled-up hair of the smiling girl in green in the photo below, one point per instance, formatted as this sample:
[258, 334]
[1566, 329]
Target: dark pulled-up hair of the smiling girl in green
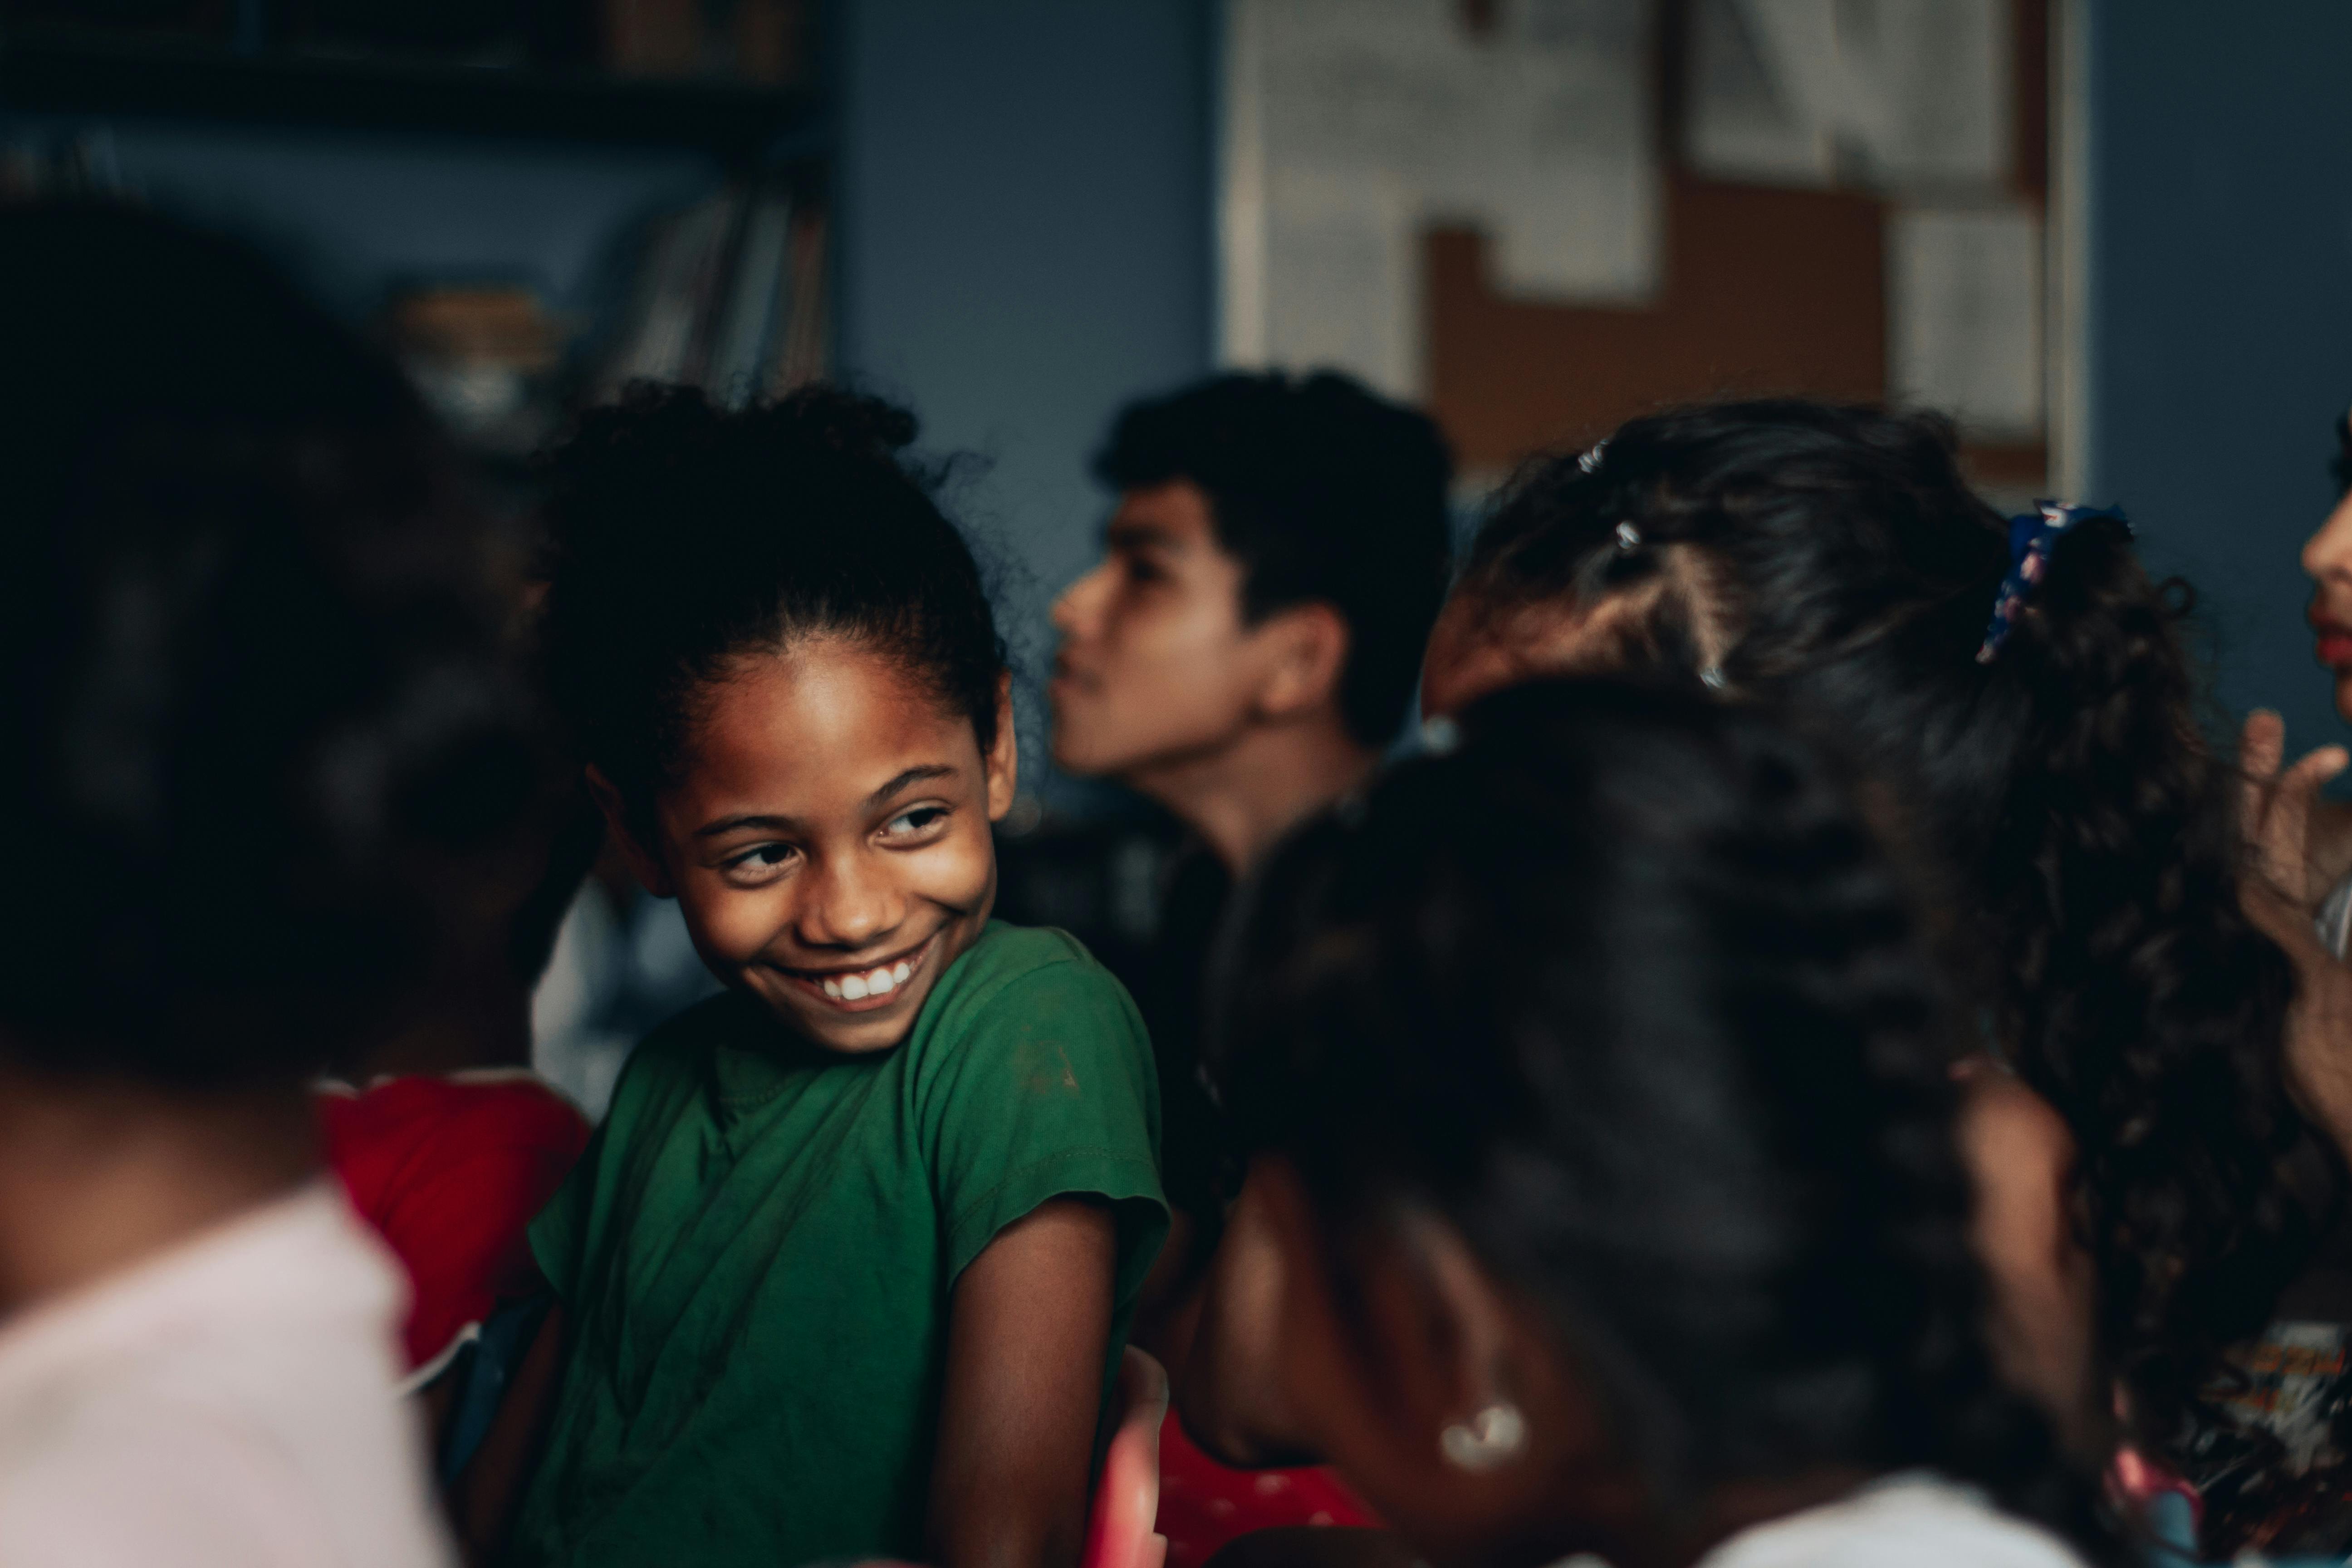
[686, 537]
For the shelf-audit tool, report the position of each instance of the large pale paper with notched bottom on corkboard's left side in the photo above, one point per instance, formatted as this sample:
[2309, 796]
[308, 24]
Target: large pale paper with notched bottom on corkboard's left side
[1354, 126]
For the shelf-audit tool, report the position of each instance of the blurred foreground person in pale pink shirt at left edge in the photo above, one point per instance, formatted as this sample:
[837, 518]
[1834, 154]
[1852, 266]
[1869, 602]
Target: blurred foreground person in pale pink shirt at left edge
[272, 777]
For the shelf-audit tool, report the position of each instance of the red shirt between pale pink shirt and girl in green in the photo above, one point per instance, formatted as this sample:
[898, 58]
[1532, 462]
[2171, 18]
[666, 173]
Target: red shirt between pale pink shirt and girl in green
[448, 1172]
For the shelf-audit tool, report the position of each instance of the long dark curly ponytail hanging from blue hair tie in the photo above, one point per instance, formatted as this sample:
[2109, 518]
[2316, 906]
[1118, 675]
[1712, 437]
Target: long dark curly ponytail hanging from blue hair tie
[2146, 1003]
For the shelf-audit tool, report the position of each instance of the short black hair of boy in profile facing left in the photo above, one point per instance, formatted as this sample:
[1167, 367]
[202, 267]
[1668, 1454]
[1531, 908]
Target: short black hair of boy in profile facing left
[1325, 495]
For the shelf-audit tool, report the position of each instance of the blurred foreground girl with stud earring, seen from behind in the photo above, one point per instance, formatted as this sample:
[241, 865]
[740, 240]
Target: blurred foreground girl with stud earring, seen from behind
[1610, 1148]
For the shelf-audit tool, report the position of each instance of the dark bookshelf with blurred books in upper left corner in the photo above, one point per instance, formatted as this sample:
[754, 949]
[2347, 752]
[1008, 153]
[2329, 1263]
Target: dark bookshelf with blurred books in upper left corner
[721, 286]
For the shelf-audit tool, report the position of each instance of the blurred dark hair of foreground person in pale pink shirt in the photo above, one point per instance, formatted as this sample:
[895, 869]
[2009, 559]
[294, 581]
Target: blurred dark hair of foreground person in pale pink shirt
[267, 739]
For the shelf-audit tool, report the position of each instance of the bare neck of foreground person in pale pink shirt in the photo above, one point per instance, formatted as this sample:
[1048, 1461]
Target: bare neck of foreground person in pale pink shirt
[100, 1177]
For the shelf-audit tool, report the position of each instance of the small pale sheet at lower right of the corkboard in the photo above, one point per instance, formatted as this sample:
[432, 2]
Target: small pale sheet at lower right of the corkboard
[1965, 304]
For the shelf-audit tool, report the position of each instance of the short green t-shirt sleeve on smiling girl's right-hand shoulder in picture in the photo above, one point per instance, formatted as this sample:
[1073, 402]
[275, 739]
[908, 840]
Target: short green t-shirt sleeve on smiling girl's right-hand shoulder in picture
[1045, 1092]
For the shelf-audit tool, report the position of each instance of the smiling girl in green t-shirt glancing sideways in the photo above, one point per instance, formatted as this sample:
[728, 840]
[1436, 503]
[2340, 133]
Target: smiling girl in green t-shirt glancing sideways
[848, 1264]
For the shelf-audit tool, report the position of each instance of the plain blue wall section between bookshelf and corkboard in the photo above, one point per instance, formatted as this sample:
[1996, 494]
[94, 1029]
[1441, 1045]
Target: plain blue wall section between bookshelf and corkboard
[1027, 246]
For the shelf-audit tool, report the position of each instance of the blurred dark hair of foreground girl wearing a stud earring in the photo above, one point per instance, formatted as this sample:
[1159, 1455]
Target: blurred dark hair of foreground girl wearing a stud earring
[1629, 996]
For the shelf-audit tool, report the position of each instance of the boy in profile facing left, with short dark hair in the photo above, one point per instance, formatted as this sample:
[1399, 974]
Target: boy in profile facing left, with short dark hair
[1241, 657]
